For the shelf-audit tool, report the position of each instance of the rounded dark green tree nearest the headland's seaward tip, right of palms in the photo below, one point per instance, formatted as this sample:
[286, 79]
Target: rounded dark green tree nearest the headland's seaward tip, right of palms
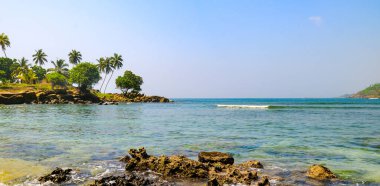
[129, 81]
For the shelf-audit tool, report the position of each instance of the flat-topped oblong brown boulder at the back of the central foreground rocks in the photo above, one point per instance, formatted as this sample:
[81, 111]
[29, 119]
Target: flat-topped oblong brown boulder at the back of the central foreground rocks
[215, 157]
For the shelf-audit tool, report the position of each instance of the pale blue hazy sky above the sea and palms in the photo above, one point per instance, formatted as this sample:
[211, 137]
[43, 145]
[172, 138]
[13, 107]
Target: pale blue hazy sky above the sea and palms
[210, 48]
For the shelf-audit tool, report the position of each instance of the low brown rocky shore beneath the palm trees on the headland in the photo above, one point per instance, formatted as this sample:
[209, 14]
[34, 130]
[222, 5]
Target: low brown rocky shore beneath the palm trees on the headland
[74, 97]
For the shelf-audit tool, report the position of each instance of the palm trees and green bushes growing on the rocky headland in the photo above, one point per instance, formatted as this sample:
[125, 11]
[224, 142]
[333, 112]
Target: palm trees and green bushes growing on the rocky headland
[84, 75]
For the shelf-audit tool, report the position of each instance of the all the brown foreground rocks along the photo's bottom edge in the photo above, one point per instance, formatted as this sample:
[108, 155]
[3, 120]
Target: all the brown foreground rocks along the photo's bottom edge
[212, 169]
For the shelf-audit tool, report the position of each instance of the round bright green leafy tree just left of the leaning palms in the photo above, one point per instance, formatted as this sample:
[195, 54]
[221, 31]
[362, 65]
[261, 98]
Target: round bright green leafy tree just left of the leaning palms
[85, 75]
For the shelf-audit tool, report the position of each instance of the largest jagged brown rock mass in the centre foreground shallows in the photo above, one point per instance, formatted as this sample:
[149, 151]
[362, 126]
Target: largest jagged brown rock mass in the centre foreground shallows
[217, 167]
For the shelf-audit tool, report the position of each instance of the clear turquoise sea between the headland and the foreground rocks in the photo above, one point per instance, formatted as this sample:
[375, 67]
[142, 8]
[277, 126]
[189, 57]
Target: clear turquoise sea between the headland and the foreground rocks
[292, 134]
